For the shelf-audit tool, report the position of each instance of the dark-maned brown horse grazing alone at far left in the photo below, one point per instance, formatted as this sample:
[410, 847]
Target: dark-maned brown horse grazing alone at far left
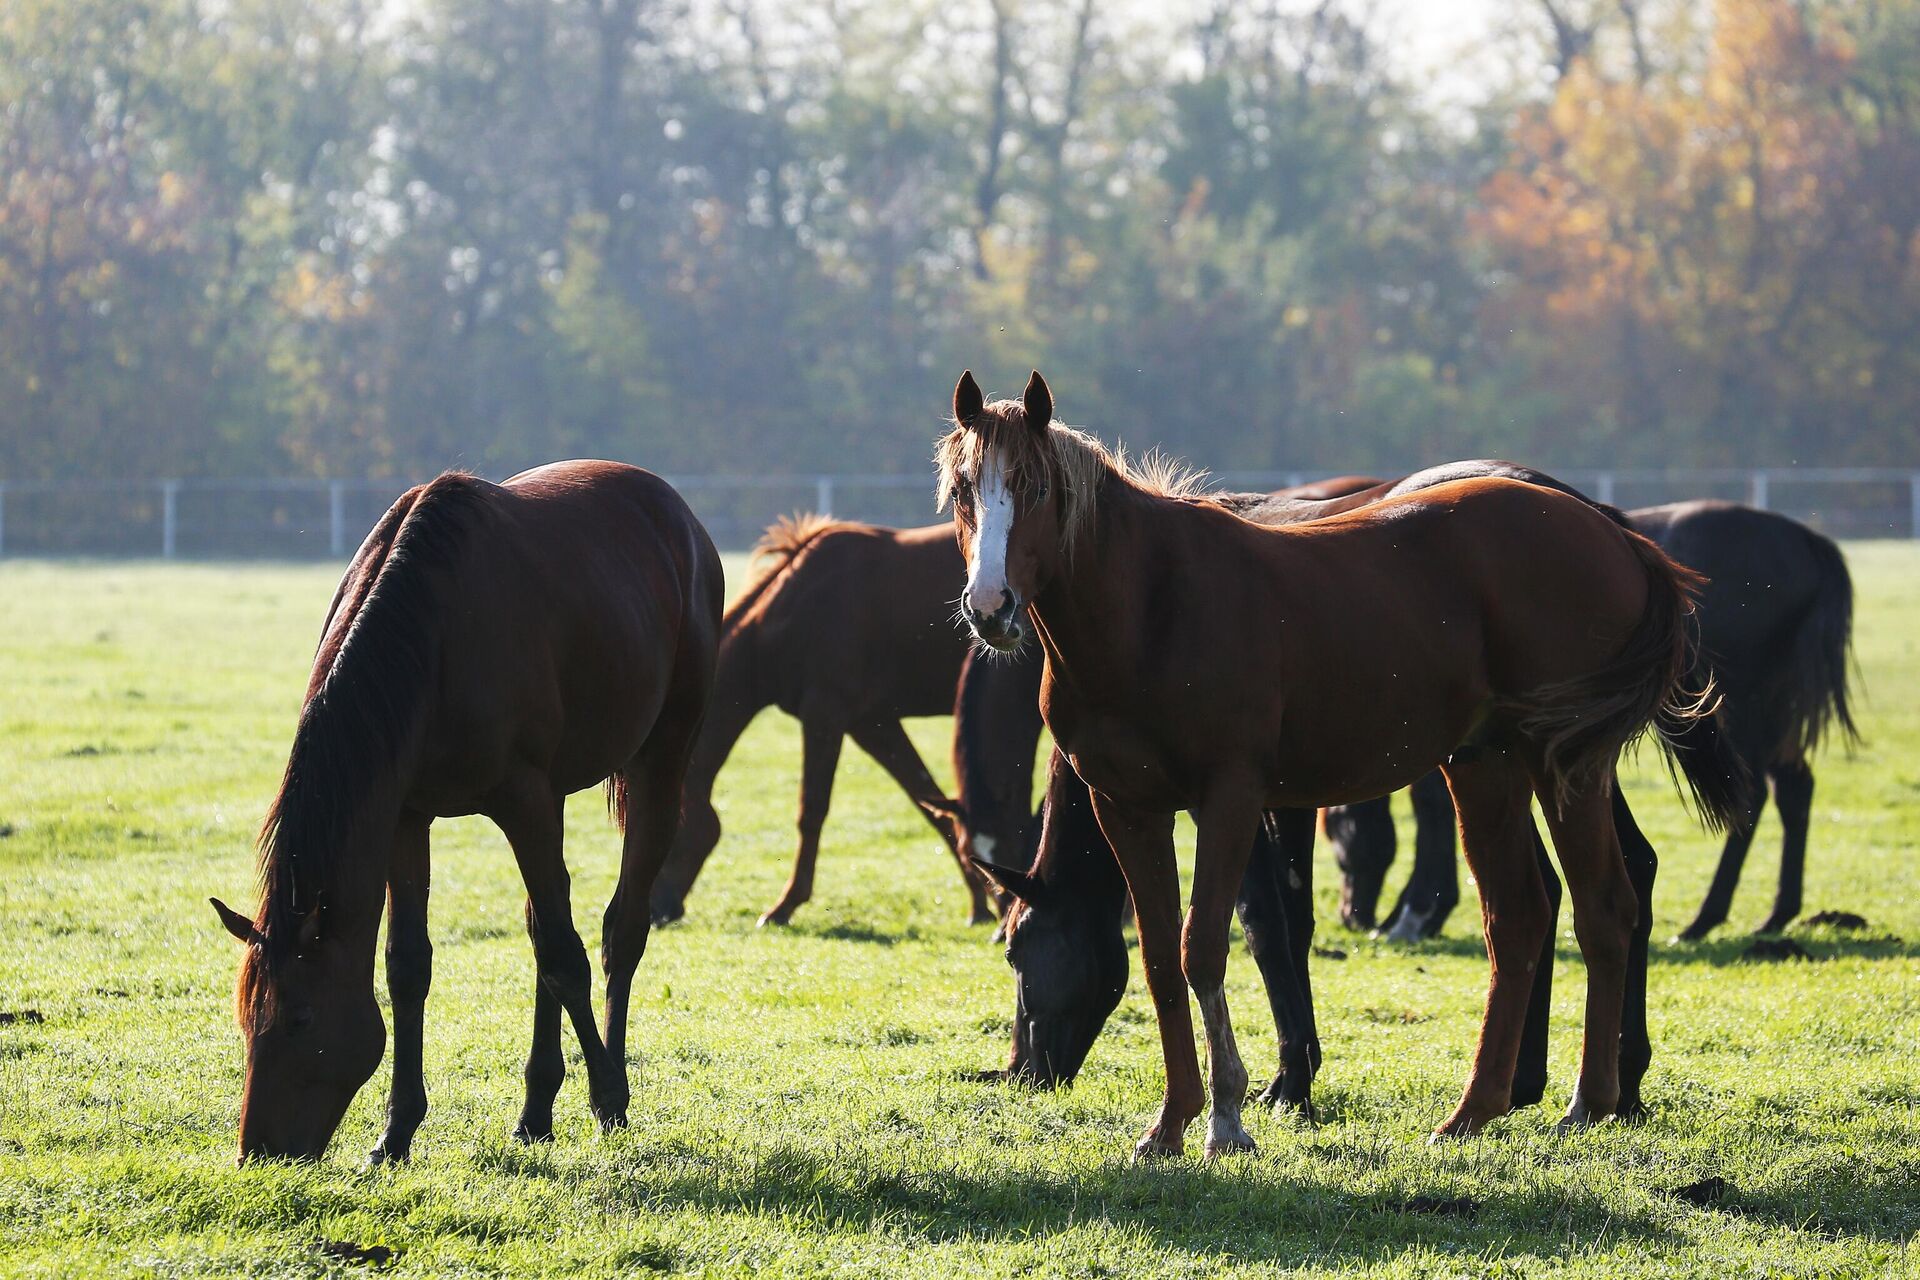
[491, 652]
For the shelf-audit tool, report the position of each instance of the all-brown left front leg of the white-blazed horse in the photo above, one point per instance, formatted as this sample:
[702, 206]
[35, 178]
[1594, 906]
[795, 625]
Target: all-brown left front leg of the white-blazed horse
[1143, 845]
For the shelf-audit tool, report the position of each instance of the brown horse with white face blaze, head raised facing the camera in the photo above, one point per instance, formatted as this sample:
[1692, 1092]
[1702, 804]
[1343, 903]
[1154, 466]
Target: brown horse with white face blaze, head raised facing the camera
[1506, 630]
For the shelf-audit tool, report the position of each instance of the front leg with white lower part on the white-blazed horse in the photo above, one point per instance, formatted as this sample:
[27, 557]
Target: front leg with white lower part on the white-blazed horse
[1226, 824]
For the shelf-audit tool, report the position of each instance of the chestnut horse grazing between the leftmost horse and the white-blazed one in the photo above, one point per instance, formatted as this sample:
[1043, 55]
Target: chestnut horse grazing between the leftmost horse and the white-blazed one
[848, 628]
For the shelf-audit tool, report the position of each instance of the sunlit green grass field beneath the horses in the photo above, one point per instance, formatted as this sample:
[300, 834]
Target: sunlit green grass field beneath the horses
[800, 1097]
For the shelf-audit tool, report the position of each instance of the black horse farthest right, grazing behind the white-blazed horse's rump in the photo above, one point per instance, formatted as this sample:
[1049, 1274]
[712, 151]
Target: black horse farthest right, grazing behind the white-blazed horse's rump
[1775, 630]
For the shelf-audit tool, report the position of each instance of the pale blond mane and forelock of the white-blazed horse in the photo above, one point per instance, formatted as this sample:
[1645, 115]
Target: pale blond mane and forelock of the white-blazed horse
[1063, 460]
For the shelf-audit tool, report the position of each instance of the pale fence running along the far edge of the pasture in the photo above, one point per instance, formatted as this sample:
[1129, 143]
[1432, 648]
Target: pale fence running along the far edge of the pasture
[325, 519]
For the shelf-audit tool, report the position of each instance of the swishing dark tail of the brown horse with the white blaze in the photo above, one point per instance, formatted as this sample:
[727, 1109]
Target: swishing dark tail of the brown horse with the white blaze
[1654, 684]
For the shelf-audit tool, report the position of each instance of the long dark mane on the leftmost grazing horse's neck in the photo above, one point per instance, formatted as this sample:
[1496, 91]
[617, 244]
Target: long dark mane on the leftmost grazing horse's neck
[360, 719]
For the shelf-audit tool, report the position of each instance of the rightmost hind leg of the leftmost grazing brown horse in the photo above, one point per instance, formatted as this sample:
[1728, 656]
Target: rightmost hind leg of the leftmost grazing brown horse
[654, 788]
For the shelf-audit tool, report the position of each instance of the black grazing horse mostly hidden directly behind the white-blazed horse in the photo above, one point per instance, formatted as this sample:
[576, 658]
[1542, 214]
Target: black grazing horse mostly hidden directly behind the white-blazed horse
[1063, 1003]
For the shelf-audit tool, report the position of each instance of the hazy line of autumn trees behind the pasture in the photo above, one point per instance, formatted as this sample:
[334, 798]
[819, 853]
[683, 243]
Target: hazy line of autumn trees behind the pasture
[383, 237]
